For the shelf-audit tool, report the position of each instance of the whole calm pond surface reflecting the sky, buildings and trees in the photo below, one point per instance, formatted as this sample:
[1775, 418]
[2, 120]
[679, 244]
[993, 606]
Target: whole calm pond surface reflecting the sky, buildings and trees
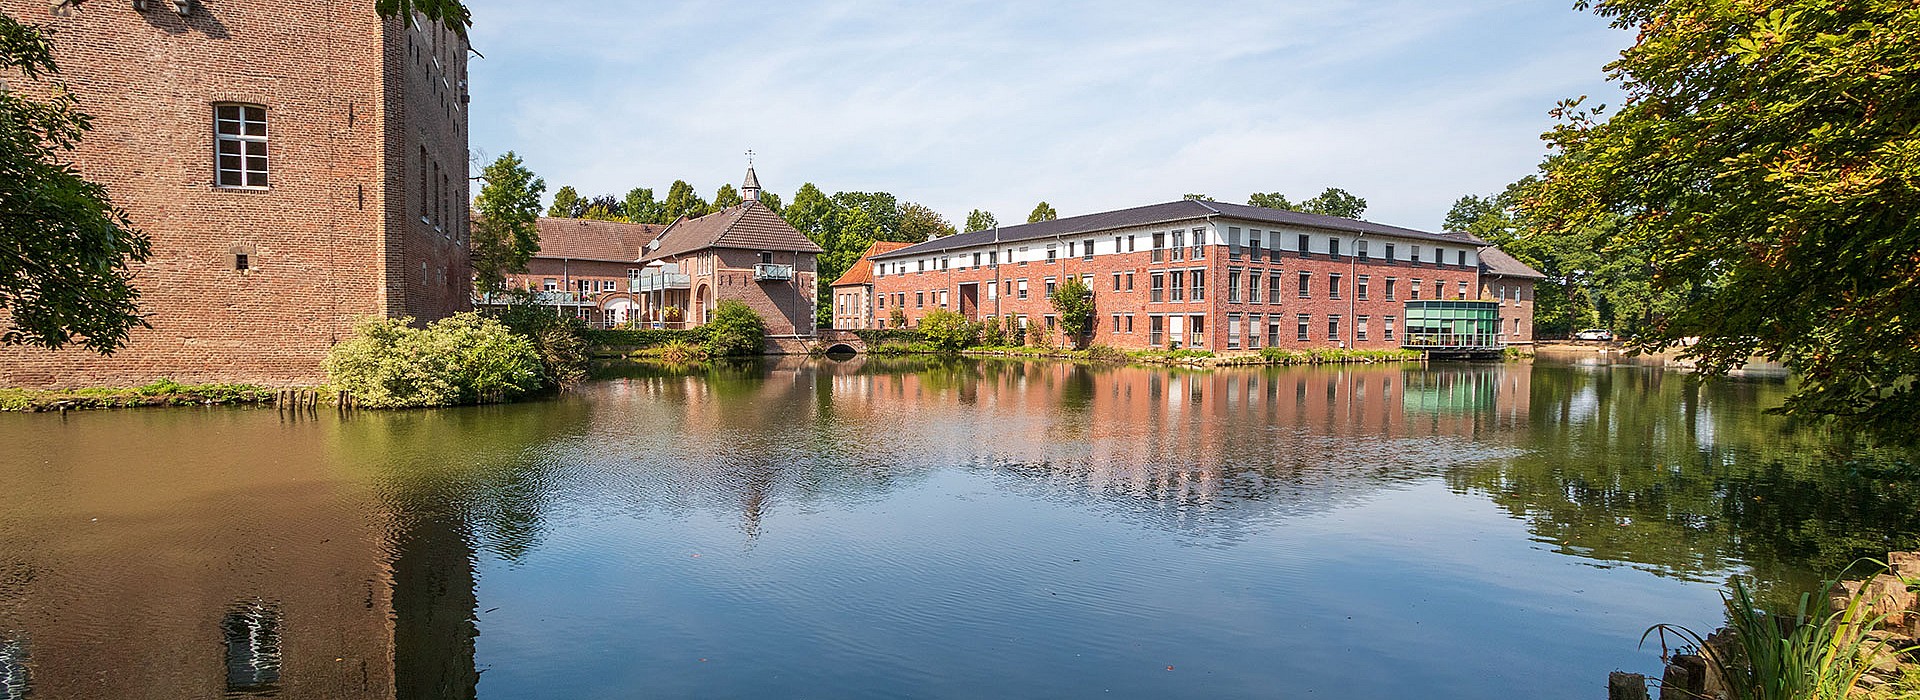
[921, 530]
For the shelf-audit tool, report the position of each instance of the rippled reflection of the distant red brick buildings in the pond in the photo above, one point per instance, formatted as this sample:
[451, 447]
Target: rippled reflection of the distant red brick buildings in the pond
[1170, 444]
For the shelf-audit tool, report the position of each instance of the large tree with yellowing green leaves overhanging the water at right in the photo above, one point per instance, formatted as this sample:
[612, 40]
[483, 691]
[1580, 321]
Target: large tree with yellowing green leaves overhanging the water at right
[1767, 166]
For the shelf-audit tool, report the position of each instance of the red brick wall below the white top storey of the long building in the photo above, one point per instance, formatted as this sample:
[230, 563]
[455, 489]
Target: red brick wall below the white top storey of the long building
[1216, 266]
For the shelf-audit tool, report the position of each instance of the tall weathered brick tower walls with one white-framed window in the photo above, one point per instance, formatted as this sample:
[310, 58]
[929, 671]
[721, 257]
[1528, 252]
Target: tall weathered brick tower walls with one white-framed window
[337, 235]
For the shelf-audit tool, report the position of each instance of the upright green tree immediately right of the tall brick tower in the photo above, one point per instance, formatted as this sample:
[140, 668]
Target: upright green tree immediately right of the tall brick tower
[506, 231]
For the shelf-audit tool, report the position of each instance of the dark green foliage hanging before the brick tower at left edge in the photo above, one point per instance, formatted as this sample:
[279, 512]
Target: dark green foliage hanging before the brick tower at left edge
[64, 248]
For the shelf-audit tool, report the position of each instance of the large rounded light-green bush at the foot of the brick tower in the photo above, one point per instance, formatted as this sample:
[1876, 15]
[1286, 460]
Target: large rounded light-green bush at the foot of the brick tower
[460, 360]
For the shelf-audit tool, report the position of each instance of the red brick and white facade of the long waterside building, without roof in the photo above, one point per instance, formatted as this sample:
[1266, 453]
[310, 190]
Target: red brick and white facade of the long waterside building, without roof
[1339, 298]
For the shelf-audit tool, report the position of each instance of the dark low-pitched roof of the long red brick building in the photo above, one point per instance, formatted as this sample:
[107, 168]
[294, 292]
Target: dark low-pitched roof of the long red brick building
[1168, 212]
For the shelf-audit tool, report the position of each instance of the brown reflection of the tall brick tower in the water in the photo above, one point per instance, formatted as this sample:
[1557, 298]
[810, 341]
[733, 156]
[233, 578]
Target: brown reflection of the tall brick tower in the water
[245, 569]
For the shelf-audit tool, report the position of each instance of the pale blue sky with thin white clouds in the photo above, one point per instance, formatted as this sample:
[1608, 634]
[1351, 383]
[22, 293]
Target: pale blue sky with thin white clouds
[1090, 106]
